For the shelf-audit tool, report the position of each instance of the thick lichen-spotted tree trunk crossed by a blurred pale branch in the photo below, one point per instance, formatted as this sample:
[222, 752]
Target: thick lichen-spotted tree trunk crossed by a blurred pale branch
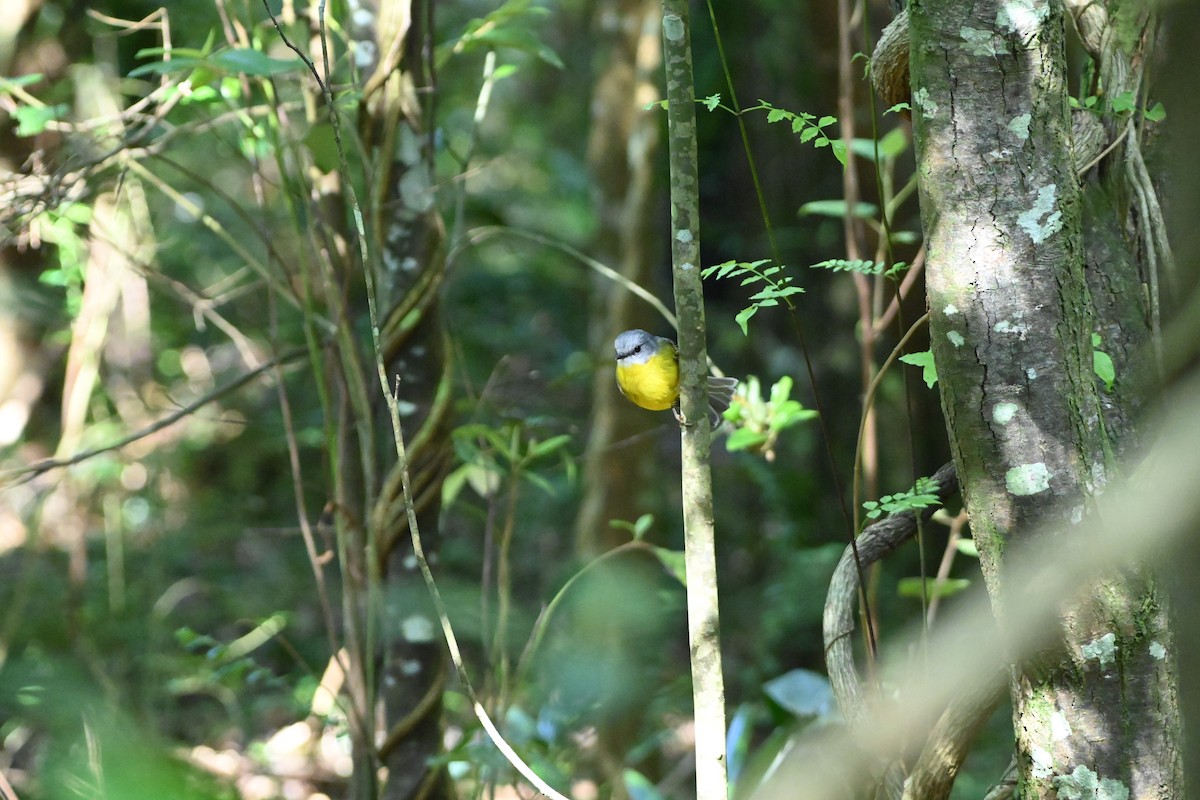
[1012, 318]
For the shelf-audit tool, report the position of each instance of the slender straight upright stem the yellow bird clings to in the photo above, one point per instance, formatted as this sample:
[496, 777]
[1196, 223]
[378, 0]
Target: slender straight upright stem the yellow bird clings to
[700, 552]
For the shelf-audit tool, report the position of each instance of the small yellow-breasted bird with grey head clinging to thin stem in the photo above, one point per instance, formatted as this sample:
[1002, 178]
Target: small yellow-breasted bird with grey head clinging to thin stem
[649, 375]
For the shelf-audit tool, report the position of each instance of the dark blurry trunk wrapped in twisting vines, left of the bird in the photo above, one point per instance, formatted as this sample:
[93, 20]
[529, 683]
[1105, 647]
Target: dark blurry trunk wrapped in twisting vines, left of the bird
[407, 240]
